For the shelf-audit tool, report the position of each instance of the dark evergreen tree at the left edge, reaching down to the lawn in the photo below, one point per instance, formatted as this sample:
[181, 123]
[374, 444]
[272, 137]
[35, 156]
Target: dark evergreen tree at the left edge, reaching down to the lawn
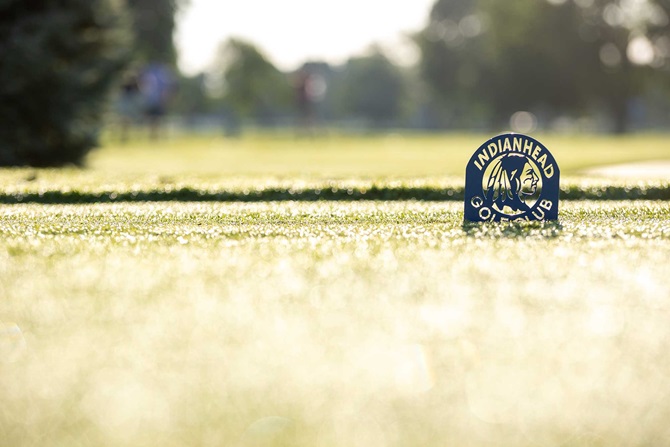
[59, 59]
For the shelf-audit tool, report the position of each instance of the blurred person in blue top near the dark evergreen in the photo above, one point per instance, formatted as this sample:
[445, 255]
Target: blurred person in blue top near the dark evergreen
[156, 87]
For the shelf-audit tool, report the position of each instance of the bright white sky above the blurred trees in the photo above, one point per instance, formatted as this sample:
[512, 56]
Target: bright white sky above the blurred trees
[290, 32]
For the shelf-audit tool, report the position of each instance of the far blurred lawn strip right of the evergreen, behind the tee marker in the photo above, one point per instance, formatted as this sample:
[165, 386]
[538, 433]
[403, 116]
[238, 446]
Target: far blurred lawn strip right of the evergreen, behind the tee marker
[337, 156]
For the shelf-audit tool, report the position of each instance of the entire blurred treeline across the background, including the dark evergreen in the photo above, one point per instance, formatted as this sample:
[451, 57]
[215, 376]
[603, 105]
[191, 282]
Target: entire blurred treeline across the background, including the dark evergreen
[481, 62]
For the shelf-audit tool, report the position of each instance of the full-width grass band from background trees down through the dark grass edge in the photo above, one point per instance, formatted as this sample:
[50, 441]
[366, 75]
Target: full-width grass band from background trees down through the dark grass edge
[280, 167]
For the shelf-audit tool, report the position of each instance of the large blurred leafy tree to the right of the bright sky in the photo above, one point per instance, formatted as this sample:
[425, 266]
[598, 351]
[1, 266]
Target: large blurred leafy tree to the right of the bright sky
[560, 55]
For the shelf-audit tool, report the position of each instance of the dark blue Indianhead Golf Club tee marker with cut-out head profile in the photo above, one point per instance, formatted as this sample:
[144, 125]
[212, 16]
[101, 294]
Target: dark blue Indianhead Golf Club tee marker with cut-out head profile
[511, 177]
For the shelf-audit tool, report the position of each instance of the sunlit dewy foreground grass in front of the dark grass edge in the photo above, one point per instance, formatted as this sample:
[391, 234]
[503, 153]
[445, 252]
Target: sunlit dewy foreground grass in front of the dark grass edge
[333, 324]
